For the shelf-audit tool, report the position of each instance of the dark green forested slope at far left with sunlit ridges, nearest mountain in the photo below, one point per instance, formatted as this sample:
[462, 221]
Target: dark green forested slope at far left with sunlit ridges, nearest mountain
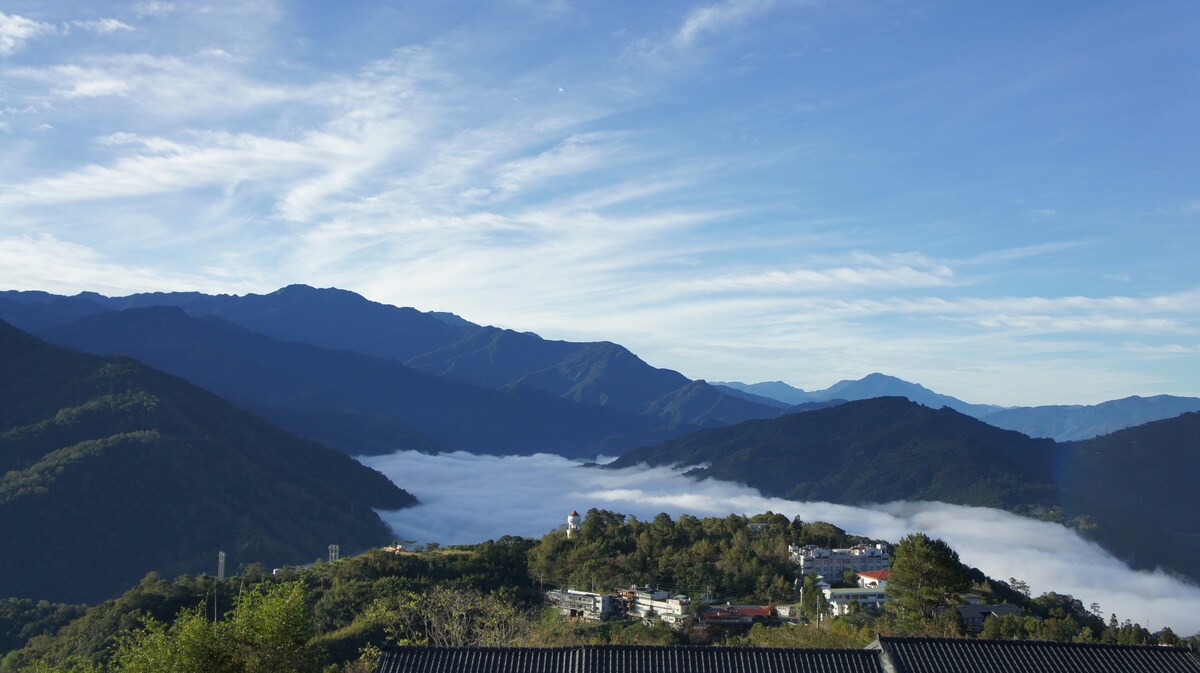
[112, 470]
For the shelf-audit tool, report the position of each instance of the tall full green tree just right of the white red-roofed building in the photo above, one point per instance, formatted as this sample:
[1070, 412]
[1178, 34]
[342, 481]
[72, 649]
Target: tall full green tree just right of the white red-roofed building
[926, 580]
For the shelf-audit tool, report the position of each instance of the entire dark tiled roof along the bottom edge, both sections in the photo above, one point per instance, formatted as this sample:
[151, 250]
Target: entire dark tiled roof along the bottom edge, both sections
[887, 654]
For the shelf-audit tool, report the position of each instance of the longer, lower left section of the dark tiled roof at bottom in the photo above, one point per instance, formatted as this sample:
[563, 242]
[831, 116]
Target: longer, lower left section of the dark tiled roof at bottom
[619, 659]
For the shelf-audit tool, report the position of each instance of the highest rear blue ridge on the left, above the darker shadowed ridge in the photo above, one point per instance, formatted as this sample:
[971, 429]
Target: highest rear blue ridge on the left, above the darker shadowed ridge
[595, 374]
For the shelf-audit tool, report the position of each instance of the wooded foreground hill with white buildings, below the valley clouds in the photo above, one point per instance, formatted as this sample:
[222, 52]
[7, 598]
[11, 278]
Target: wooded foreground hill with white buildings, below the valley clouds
[751, 582]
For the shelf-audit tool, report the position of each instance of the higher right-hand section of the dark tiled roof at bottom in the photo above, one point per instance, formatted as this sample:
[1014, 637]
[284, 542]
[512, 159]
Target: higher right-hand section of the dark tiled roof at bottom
[952, 656]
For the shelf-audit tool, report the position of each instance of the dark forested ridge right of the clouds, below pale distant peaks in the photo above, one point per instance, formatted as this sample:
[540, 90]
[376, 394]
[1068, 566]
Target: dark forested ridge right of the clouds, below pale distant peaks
[1133, 490]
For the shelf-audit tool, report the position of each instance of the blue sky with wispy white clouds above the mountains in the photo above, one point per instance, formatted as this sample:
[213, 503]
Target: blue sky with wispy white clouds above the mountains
[999, 201]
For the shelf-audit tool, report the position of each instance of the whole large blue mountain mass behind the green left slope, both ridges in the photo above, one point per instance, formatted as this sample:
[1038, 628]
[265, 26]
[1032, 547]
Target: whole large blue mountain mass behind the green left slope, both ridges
[373, 378]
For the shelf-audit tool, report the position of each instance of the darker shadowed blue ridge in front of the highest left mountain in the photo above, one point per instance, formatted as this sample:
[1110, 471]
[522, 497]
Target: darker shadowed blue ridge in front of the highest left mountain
[359, 404]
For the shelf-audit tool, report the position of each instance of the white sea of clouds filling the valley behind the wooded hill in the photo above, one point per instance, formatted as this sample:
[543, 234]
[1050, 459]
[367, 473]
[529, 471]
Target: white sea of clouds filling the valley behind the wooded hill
[469, 498]
